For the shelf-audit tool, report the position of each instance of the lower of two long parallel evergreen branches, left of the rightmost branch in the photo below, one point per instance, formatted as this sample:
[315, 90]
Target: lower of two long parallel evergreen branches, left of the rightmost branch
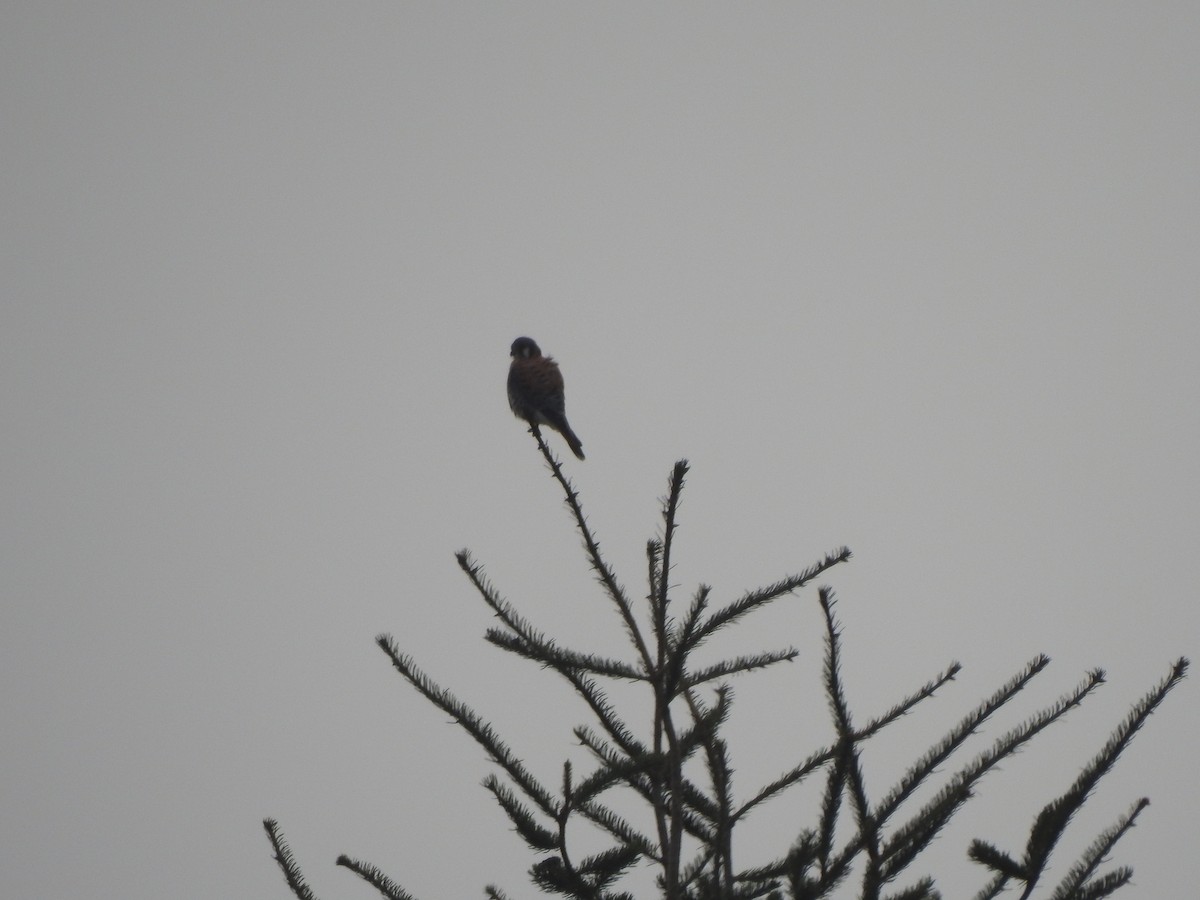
[916, 835]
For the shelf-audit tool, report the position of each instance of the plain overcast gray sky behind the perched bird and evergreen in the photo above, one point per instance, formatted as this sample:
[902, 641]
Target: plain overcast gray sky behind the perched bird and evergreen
[921, 279]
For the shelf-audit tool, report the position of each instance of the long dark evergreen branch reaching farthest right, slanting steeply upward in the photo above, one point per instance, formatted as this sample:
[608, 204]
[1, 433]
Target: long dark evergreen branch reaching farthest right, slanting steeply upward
[1053, 820]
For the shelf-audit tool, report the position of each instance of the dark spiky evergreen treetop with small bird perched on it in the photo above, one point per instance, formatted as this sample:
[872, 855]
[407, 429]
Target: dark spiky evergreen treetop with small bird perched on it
[677, 766]
